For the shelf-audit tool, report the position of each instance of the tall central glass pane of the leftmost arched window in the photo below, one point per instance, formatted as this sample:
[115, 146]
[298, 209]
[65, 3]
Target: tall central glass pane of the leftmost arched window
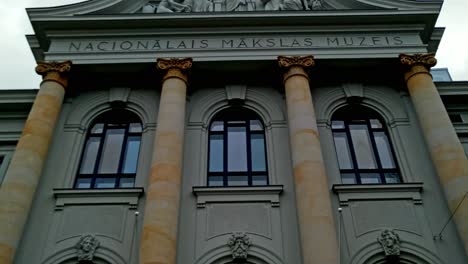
[111, 152]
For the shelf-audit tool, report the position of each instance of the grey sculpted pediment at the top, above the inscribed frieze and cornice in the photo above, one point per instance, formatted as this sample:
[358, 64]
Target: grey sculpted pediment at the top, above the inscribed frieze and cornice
[114, 7]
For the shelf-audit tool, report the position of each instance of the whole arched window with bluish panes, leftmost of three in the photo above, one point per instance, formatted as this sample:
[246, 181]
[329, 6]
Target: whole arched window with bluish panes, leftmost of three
[110, 155]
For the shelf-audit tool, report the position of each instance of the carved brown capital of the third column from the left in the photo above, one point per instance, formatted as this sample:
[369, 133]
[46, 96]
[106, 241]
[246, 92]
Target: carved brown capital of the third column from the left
[295, 65]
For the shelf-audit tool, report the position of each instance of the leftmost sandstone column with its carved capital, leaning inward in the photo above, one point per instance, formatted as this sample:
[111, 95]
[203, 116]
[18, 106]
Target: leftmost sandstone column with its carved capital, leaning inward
[24, 171]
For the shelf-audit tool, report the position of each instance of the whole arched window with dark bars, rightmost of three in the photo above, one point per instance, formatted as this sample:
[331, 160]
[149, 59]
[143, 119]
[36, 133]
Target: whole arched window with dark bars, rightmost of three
[363, 148]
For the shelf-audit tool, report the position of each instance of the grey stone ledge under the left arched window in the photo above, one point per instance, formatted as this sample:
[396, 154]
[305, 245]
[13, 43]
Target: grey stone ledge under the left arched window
[66, 197]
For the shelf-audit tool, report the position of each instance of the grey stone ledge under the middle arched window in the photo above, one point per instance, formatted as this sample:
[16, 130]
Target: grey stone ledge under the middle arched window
[237, 194]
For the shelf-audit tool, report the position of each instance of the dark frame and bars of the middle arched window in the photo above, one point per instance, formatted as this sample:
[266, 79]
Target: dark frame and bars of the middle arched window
[237, 115]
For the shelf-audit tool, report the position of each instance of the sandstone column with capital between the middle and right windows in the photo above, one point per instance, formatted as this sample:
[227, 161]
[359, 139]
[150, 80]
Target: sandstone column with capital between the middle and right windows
[315, 216]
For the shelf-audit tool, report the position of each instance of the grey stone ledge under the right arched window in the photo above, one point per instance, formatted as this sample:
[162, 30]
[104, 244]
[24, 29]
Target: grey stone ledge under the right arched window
[362, 192]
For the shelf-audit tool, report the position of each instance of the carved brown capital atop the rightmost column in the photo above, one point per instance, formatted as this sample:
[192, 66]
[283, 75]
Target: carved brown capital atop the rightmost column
[417, 63]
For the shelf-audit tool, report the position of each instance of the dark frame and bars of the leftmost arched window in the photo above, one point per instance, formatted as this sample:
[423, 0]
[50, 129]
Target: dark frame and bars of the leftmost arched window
[107, 125]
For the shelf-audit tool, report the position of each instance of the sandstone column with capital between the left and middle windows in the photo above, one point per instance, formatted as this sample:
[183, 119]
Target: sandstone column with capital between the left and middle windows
[159, 238]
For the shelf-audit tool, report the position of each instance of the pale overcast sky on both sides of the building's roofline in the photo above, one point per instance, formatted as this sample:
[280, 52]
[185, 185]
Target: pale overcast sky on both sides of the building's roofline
[17, 67]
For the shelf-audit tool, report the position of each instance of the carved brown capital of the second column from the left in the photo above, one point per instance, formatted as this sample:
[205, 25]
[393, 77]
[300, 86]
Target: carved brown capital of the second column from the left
[175, 67]
